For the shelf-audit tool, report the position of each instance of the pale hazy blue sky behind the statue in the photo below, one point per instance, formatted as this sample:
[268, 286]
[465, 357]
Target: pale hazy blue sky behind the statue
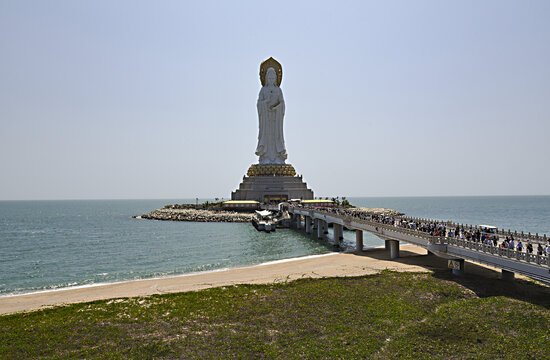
[157, 99]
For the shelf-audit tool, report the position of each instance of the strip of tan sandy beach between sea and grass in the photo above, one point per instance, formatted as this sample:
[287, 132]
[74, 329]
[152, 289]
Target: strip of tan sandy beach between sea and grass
[328, 265]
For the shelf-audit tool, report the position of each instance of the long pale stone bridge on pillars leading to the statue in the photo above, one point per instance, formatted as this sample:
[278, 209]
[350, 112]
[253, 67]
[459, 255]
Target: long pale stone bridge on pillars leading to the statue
[457, 250]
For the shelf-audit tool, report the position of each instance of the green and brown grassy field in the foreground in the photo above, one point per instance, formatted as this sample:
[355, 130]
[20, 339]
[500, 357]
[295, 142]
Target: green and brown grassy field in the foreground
[384, 316]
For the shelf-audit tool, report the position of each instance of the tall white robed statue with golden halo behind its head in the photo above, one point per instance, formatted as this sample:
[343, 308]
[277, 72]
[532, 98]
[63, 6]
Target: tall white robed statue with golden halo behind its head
[271, 111]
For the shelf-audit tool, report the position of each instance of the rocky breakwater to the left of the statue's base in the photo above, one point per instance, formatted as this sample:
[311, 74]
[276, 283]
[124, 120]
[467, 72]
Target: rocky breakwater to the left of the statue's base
[199, 215]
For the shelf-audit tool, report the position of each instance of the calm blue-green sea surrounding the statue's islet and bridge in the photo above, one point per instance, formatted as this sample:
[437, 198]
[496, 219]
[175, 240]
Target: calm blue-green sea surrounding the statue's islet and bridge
[52, 245]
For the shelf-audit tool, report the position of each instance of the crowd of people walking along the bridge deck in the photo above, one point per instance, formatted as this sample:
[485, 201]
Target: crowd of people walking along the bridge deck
[443, 229]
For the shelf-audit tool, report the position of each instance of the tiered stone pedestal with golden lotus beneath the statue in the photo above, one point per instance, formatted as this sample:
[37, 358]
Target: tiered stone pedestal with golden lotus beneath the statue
[272, 183]
